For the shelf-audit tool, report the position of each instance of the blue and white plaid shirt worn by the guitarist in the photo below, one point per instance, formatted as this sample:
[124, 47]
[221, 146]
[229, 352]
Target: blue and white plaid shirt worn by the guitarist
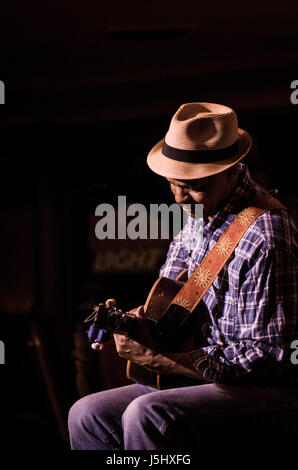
[252, 304]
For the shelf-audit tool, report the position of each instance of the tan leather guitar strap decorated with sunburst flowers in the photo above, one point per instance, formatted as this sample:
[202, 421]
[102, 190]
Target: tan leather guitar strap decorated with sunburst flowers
[204, 275]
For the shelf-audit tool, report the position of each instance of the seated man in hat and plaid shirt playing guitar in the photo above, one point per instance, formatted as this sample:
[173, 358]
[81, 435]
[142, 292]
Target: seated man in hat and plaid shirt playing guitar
[240, 364]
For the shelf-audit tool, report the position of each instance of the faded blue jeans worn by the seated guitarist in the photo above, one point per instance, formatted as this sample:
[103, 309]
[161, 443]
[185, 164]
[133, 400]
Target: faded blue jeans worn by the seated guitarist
[138, 417]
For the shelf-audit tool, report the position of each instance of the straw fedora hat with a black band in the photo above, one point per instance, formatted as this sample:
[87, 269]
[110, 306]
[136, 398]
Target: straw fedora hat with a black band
[203, 139]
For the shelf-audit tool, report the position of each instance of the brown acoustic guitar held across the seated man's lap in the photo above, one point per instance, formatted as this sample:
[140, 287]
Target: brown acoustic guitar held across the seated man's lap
[170, 326]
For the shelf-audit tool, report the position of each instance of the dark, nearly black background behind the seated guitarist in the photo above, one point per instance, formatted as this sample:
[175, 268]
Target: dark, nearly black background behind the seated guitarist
[90, 88]
